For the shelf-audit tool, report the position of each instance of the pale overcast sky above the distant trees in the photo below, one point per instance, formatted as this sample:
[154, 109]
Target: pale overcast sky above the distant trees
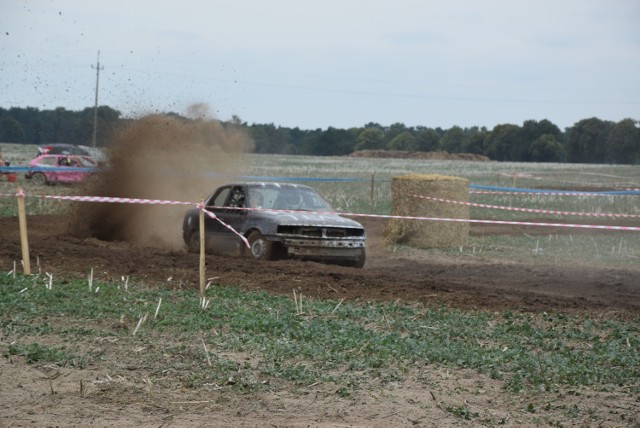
[339, 63]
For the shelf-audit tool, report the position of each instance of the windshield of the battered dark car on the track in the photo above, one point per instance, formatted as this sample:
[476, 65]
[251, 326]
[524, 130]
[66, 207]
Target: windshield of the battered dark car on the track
[287, 198]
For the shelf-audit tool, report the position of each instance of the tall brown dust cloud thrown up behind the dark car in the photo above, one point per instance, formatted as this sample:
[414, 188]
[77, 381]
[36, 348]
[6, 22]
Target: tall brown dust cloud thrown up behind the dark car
[160, 157]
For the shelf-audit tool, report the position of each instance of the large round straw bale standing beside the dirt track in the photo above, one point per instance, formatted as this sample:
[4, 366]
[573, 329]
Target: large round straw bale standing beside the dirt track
[425, 233]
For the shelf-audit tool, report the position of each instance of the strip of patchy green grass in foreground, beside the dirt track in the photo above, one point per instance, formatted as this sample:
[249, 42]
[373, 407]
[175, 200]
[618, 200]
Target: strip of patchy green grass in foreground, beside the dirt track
[347, 345]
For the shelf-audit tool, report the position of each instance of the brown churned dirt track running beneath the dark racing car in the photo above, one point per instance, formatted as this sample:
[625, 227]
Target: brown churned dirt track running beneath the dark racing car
[469, 284]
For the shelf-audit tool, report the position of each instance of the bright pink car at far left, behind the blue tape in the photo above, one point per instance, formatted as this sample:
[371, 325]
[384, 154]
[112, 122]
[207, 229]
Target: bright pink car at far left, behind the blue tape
[58, 164]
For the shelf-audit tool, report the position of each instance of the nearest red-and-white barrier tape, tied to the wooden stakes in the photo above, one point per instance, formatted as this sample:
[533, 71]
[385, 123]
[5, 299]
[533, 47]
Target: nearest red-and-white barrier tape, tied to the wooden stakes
[456, 220]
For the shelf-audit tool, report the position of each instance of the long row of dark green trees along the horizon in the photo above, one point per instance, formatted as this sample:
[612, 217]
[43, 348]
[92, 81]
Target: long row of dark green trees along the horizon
[589, 140]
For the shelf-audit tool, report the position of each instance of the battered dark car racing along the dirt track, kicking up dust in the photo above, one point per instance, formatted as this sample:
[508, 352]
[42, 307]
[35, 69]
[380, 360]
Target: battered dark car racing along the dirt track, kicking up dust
[280, 221]
